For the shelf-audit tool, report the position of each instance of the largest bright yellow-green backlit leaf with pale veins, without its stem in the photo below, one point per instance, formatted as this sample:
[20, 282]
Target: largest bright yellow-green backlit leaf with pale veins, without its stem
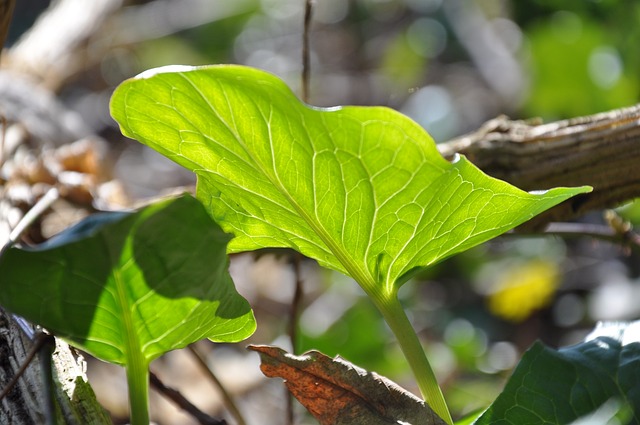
[363, 190]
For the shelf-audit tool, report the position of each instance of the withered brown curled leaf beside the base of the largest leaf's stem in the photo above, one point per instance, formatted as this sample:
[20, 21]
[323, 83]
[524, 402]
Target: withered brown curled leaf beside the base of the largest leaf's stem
[337, 392]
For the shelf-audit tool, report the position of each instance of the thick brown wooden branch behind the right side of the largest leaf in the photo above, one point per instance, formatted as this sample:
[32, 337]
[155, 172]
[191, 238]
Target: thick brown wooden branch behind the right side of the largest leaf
[601, 150]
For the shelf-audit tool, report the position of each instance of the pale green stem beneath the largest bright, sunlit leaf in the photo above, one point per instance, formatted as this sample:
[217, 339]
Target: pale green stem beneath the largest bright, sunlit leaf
[398, 321]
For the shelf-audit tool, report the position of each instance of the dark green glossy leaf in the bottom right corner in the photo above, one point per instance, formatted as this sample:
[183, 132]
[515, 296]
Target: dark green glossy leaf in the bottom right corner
[559, 387]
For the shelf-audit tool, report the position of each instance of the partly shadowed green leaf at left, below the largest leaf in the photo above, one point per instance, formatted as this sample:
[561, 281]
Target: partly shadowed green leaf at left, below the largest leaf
[126, 286]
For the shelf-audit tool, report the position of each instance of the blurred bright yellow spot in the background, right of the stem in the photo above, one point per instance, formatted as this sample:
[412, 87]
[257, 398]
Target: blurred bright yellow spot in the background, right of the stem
[524, 288]
